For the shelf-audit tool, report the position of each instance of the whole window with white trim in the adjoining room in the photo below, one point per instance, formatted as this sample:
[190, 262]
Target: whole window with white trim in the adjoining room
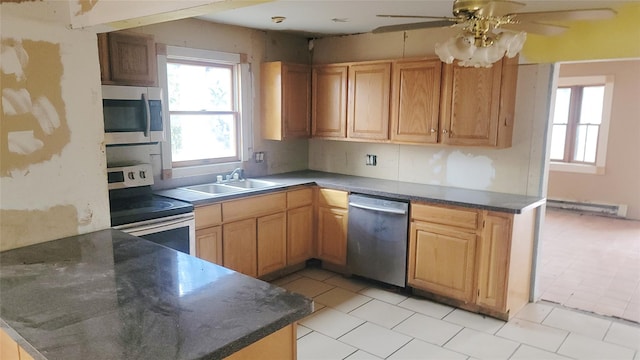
[579, 128]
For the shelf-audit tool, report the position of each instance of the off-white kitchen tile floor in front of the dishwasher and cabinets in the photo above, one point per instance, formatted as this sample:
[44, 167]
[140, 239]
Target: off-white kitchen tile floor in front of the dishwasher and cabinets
[354, 319]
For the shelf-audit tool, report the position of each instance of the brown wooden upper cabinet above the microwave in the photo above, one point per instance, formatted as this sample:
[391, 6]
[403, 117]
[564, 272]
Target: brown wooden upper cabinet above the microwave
[127, 59]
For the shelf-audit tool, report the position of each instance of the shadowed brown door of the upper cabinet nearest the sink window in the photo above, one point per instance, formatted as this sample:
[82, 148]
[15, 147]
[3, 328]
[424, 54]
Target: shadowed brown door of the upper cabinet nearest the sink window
[296, 87]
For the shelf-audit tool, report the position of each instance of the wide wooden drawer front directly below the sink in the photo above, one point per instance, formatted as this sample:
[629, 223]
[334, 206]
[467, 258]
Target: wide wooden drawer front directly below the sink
[253, 206]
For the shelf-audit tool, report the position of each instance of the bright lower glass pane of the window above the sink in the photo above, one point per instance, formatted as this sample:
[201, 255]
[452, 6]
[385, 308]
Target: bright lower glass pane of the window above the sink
[203, 136]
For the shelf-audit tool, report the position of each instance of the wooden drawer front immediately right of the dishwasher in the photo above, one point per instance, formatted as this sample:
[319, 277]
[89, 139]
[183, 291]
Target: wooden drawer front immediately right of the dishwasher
[458, 217]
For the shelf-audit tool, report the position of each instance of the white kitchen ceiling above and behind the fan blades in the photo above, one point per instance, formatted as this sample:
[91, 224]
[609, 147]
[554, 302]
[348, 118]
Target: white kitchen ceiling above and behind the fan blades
[318, 18]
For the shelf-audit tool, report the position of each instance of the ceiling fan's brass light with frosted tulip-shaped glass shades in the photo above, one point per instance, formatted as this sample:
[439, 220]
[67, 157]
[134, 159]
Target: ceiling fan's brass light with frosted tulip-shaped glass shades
[481, 44]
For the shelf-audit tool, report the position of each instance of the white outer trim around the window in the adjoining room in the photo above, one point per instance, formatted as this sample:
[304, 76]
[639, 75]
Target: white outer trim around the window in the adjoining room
[599, 167]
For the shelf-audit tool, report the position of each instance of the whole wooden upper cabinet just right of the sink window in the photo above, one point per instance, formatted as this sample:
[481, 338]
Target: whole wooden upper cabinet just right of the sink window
[285, 92]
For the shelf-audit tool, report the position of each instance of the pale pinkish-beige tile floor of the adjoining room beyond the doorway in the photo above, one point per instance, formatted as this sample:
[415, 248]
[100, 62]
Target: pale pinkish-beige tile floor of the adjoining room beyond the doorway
[591, 263]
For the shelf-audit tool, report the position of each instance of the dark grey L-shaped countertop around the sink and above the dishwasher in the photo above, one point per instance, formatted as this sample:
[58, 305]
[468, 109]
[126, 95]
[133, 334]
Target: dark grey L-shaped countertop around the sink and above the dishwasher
[477, 199]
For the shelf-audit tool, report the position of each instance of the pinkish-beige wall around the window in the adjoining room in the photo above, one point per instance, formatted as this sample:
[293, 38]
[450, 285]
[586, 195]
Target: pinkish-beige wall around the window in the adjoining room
[619, 183]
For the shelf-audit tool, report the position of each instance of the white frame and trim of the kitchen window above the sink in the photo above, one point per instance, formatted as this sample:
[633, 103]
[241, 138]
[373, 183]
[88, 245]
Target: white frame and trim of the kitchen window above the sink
[241, 97]
